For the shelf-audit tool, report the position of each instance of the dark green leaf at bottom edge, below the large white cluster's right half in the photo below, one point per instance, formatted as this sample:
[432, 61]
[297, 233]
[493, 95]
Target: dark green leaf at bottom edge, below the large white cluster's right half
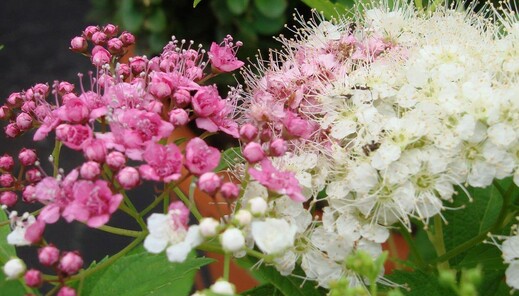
[419, 283]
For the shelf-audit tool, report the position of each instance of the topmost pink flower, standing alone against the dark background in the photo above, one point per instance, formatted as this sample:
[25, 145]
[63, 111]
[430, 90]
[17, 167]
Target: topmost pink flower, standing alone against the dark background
[223, 57]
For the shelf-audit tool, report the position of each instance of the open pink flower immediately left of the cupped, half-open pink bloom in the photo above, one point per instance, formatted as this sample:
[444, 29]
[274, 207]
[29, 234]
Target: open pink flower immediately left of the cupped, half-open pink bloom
[164, 163]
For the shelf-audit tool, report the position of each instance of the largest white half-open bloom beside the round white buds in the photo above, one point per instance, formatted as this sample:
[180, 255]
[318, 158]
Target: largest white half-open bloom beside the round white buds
[273, 235]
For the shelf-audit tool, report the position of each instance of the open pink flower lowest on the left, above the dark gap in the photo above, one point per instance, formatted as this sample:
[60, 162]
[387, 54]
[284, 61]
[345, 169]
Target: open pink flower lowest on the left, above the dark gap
[93, 203]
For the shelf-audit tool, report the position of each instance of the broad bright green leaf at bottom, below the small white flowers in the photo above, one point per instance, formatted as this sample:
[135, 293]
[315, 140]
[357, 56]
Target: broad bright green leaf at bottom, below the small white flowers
[145, 274]
